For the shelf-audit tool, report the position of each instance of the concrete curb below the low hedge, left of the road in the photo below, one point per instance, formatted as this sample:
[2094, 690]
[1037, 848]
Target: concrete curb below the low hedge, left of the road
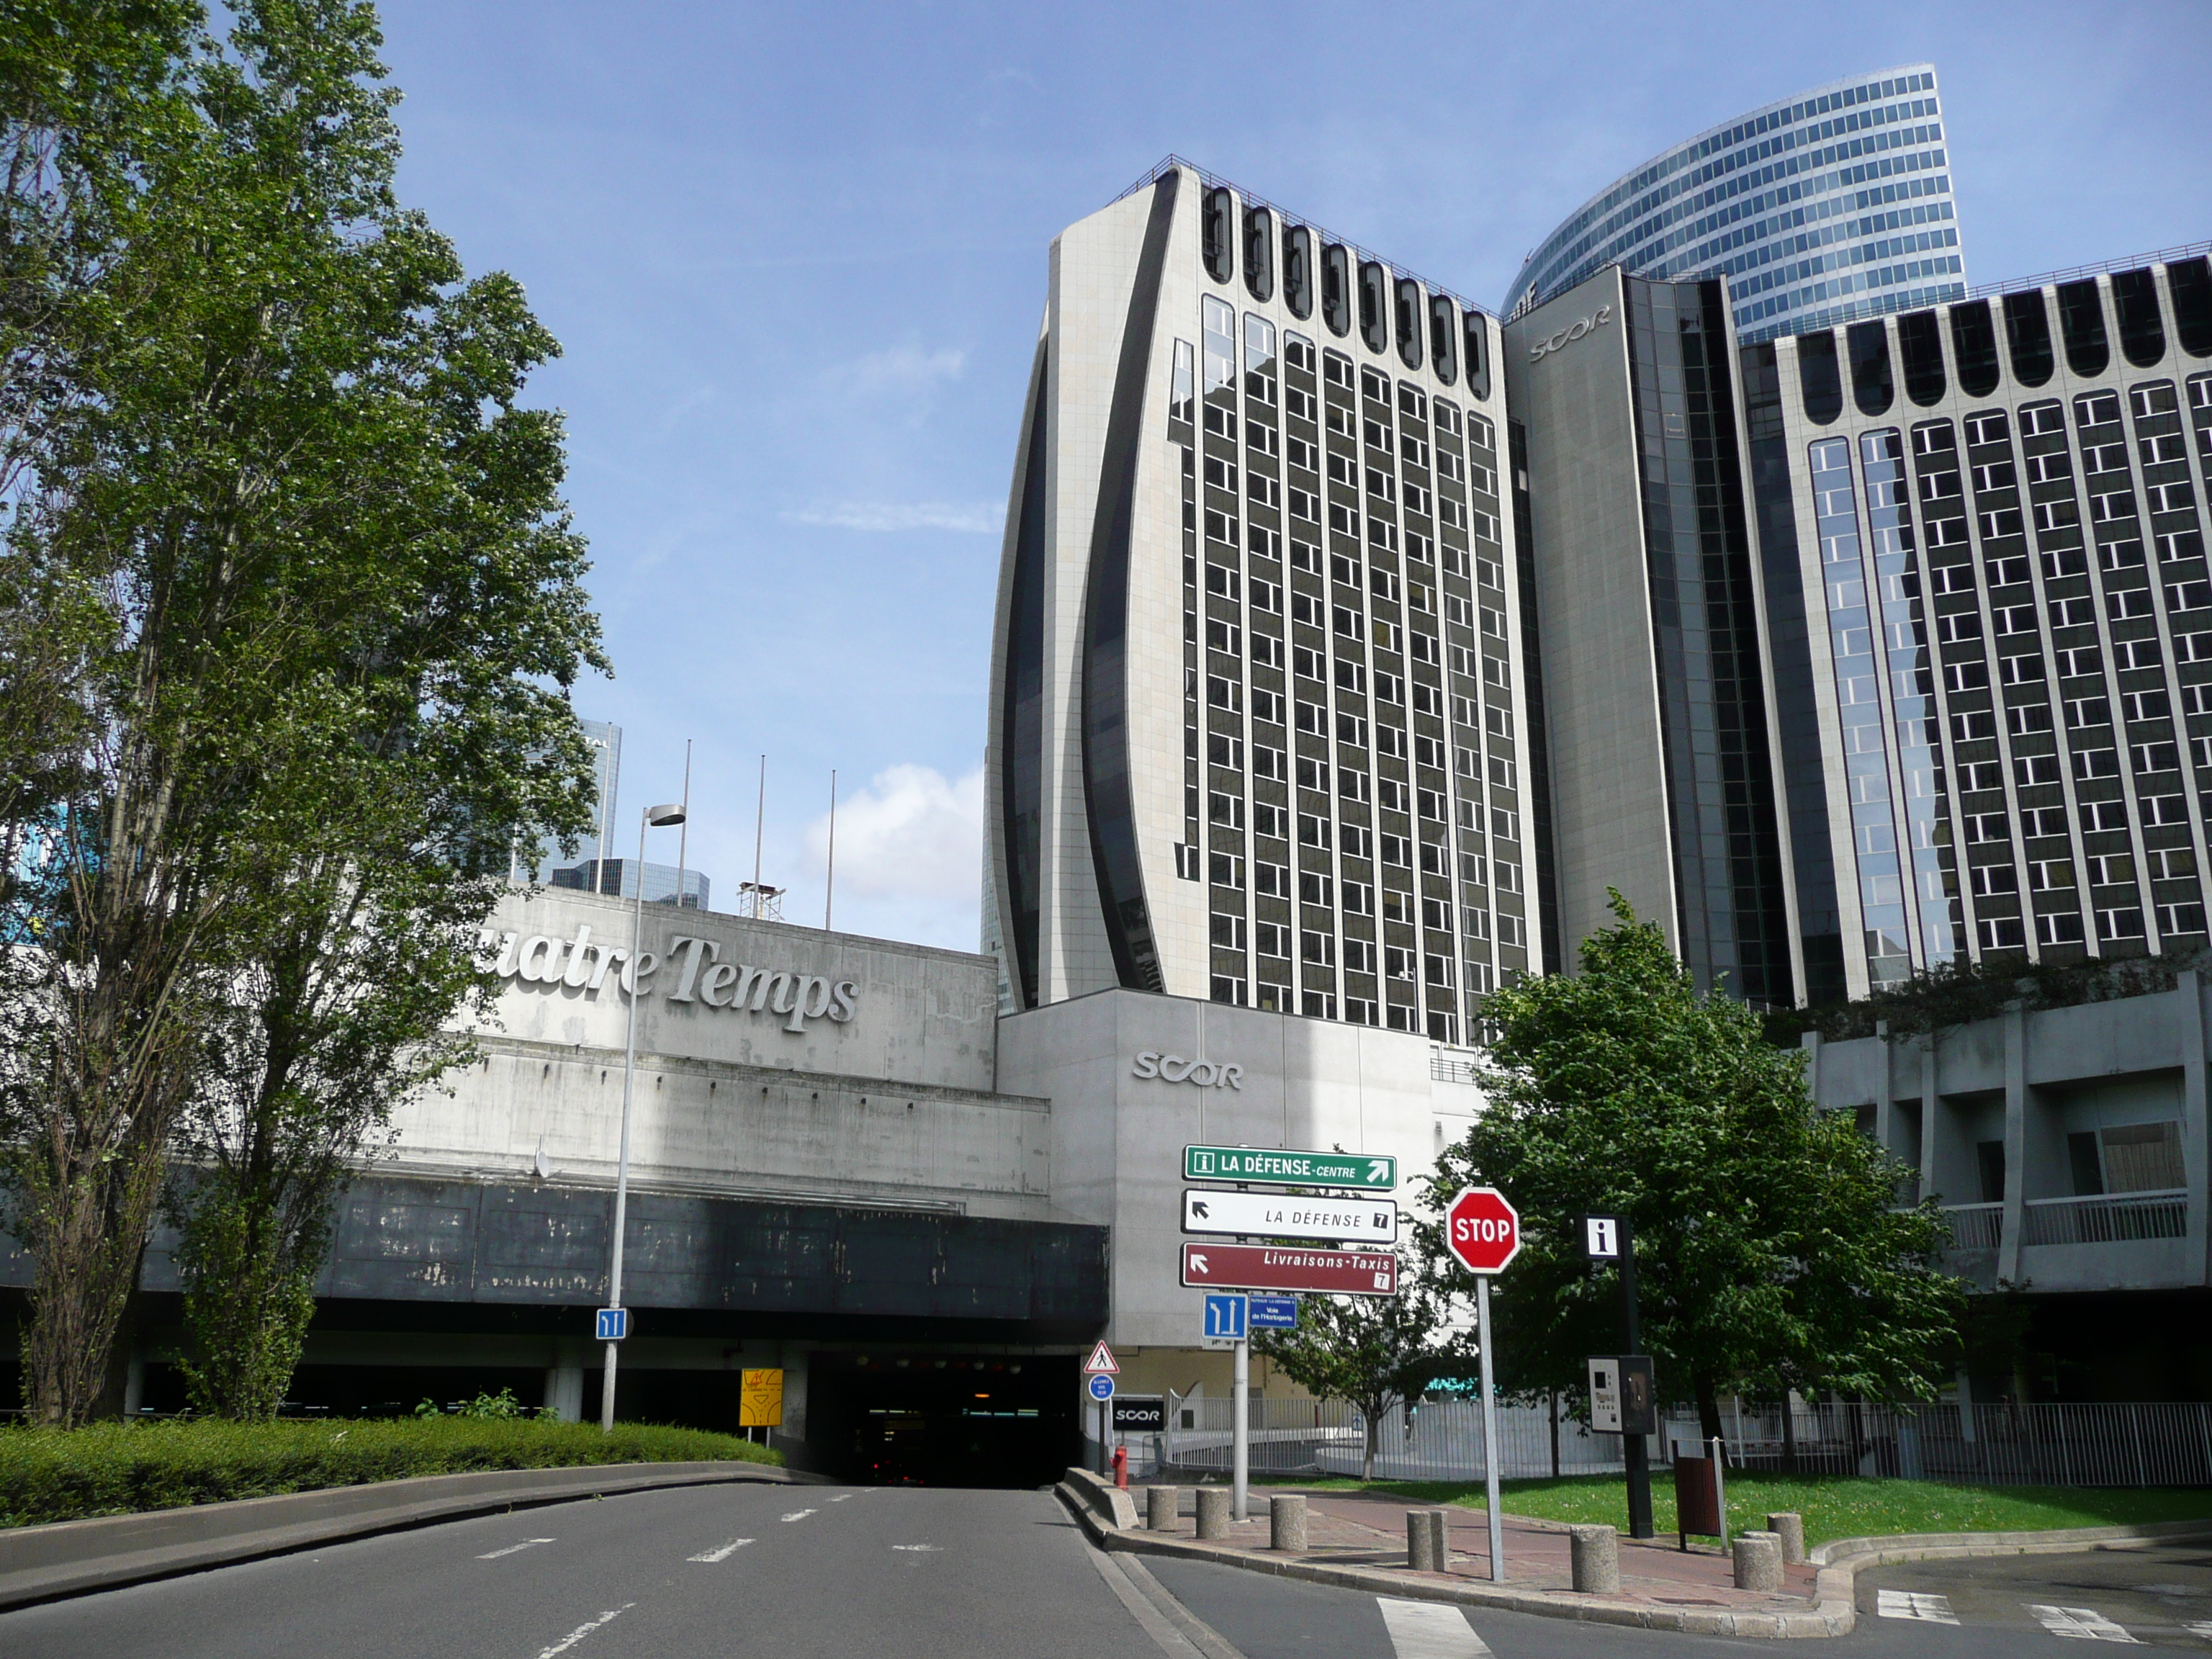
[109, 1552]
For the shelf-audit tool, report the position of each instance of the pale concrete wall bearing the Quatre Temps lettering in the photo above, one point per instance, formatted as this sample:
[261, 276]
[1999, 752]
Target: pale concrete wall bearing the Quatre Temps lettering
[895, 1105]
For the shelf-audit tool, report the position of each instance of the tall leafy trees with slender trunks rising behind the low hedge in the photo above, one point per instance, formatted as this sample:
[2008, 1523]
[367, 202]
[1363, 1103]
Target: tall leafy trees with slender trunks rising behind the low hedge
[340, 616]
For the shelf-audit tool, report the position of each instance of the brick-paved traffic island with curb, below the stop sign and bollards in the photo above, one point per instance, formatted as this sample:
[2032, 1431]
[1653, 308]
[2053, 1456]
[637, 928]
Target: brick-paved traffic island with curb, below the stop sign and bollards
[1361, 1543]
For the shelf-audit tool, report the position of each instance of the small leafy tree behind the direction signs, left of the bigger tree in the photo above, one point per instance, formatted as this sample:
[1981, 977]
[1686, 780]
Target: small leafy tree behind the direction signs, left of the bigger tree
[1373, 1353]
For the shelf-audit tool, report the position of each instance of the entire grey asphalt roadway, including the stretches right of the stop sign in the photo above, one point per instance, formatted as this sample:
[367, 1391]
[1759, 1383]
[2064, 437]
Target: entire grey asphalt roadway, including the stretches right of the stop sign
[864, 1574]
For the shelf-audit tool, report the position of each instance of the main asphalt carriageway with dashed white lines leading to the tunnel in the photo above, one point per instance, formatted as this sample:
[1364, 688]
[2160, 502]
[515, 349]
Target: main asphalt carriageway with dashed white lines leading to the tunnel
[789, 1572]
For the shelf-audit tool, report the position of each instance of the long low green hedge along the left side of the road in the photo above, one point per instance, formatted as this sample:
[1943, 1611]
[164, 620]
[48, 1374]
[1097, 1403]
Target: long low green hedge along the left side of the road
[127, 1468]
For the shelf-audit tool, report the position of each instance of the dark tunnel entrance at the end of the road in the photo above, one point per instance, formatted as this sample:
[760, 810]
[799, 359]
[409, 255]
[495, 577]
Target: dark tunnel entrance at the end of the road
[943, 1419]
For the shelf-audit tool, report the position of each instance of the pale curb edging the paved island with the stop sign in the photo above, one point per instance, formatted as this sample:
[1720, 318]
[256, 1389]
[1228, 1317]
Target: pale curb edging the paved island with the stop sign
[1833, 1614]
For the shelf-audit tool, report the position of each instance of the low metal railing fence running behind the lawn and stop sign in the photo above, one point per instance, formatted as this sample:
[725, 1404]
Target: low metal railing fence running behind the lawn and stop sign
[1999, 1446]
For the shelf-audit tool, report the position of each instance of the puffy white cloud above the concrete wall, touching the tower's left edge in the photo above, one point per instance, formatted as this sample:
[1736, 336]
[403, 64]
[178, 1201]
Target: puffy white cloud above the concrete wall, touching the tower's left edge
[912, 833]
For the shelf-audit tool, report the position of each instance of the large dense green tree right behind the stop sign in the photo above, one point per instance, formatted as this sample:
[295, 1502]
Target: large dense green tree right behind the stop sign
[1771, 1251]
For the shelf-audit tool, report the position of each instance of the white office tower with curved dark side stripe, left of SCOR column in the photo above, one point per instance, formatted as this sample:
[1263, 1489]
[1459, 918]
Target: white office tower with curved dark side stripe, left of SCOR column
[1260, 718]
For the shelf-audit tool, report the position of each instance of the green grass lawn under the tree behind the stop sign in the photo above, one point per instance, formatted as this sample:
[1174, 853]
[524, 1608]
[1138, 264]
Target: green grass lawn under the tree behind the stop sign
[1833, 1505]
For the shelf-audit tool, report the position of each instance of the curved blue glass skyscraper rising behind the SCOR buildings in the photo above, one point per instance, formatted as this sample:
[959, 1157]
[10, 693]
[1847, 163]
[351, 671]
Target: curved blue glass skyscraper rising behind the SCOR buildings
[1819, 209]
